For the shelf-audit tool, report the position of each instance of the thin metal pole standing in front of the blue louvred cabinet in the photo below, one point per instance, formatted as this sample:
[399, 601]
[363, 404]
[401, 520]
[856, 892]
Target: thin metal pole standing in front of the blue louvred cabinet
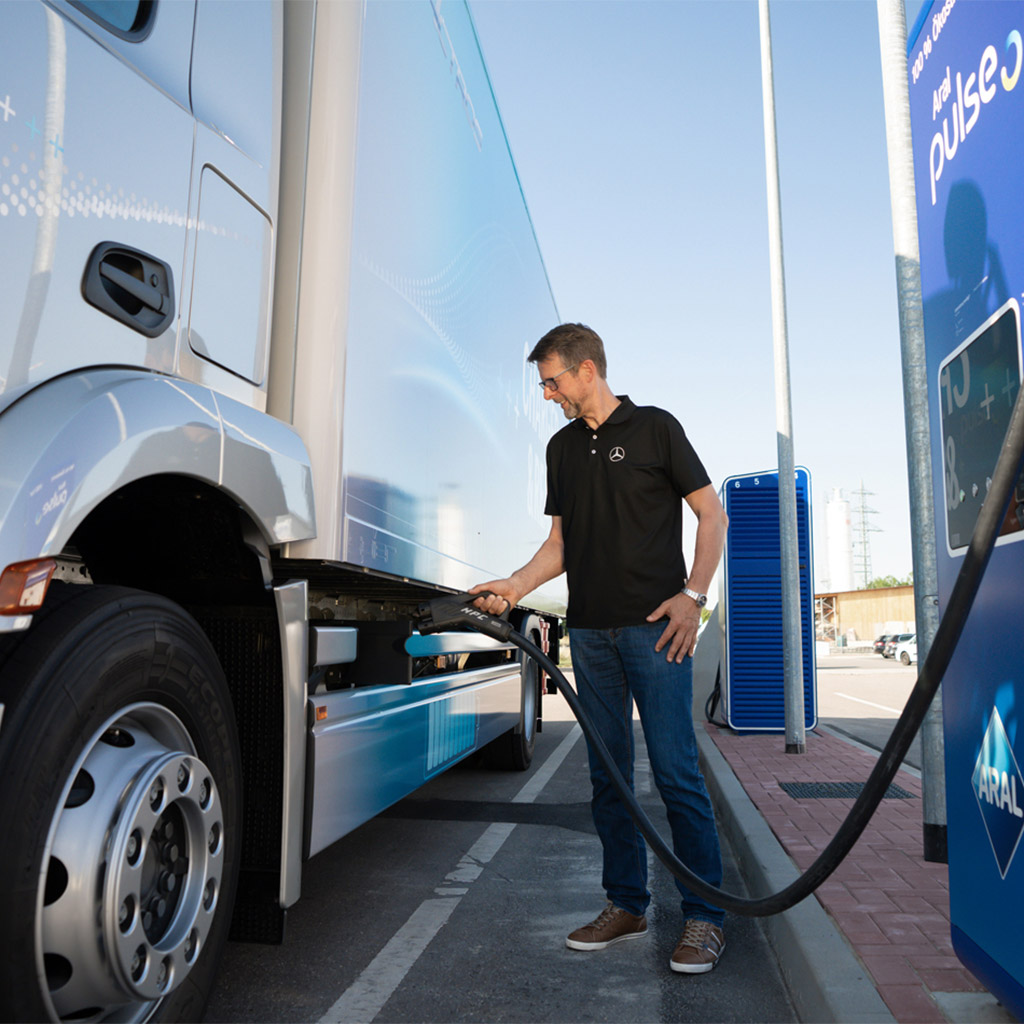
[793, 656]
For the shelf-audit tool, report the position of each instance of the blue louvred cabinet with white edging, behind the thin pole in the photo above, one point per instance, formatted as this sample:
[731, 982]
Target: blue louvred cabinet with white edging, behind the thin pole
[751, 601]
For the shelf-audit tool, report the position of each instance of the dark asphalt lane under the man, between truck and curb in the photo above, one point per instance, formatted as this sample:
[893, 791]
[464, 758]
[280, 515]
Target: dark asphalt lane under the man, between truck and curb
[454, 907]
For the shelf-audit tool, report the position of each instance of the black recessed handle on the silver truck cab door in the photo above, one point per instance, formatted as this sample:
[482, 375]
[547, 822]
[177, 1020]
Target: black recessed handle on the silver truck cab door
[134, 287]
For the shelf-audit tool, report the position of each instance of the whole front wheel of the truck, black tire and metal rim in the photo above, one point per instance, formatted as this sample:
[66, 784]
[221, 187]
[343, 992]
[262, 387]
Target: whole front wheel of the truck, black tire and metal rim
[120, 796]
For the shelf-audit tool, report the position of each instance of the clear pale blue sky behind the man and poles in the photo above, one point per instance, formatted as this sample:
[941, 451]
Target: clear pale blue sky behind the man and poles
[637, 131]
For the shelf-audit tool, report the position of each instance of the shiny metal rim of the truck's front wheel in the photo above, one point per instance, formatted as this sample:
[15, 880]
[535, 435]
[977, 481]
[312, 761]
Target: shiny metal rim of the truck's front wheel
[132, 872]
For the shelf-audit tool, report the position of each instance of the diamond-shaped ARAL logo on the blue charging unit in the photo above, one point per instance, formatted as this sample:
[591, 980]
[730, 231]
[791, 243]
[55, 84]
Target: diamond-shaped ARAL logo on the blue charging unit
[1000, 789]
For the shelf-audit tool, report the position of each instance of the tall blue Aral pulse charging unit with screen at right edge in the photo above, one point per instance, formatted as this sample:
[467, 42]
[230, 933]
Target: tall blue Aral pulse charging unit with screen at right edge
[966, 72]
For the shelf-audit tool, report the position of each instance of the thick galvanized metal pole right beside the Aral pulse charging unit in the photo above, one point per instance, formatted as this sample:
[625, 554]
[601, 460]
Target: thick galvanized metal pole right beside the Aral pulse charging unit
[892, 38]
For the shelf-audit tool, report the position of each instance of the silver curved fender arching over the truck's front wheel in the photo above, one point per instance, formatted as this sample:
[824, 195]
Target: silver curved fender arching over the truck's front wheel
[73, 442]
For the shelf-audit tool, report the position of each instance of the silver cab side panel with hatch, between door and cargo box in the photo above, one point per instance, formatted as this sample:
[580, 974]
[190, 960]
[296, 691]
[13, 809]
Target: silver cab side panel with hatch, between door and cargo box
[236, 98]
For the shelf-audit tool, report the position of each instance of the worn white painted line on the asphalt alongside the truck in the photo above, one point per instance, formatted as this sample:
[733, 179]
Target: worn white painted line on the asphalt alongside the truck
[365, 999]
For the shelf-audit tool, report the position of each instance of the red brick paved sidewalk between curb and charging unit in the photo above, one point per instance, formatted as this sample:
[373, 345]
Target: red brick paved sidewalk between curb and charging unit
[892, 908]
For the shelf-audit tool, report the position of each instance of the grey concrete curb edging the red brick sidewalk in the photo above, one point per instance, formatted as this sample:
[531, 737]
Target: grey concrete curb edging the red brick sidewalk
[826, 979]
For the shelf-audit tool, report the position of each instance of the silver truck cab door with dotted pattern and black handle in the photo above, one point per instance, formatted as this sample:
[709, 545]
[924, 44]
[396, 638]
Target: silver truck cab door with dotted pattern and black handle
[96, 148]
